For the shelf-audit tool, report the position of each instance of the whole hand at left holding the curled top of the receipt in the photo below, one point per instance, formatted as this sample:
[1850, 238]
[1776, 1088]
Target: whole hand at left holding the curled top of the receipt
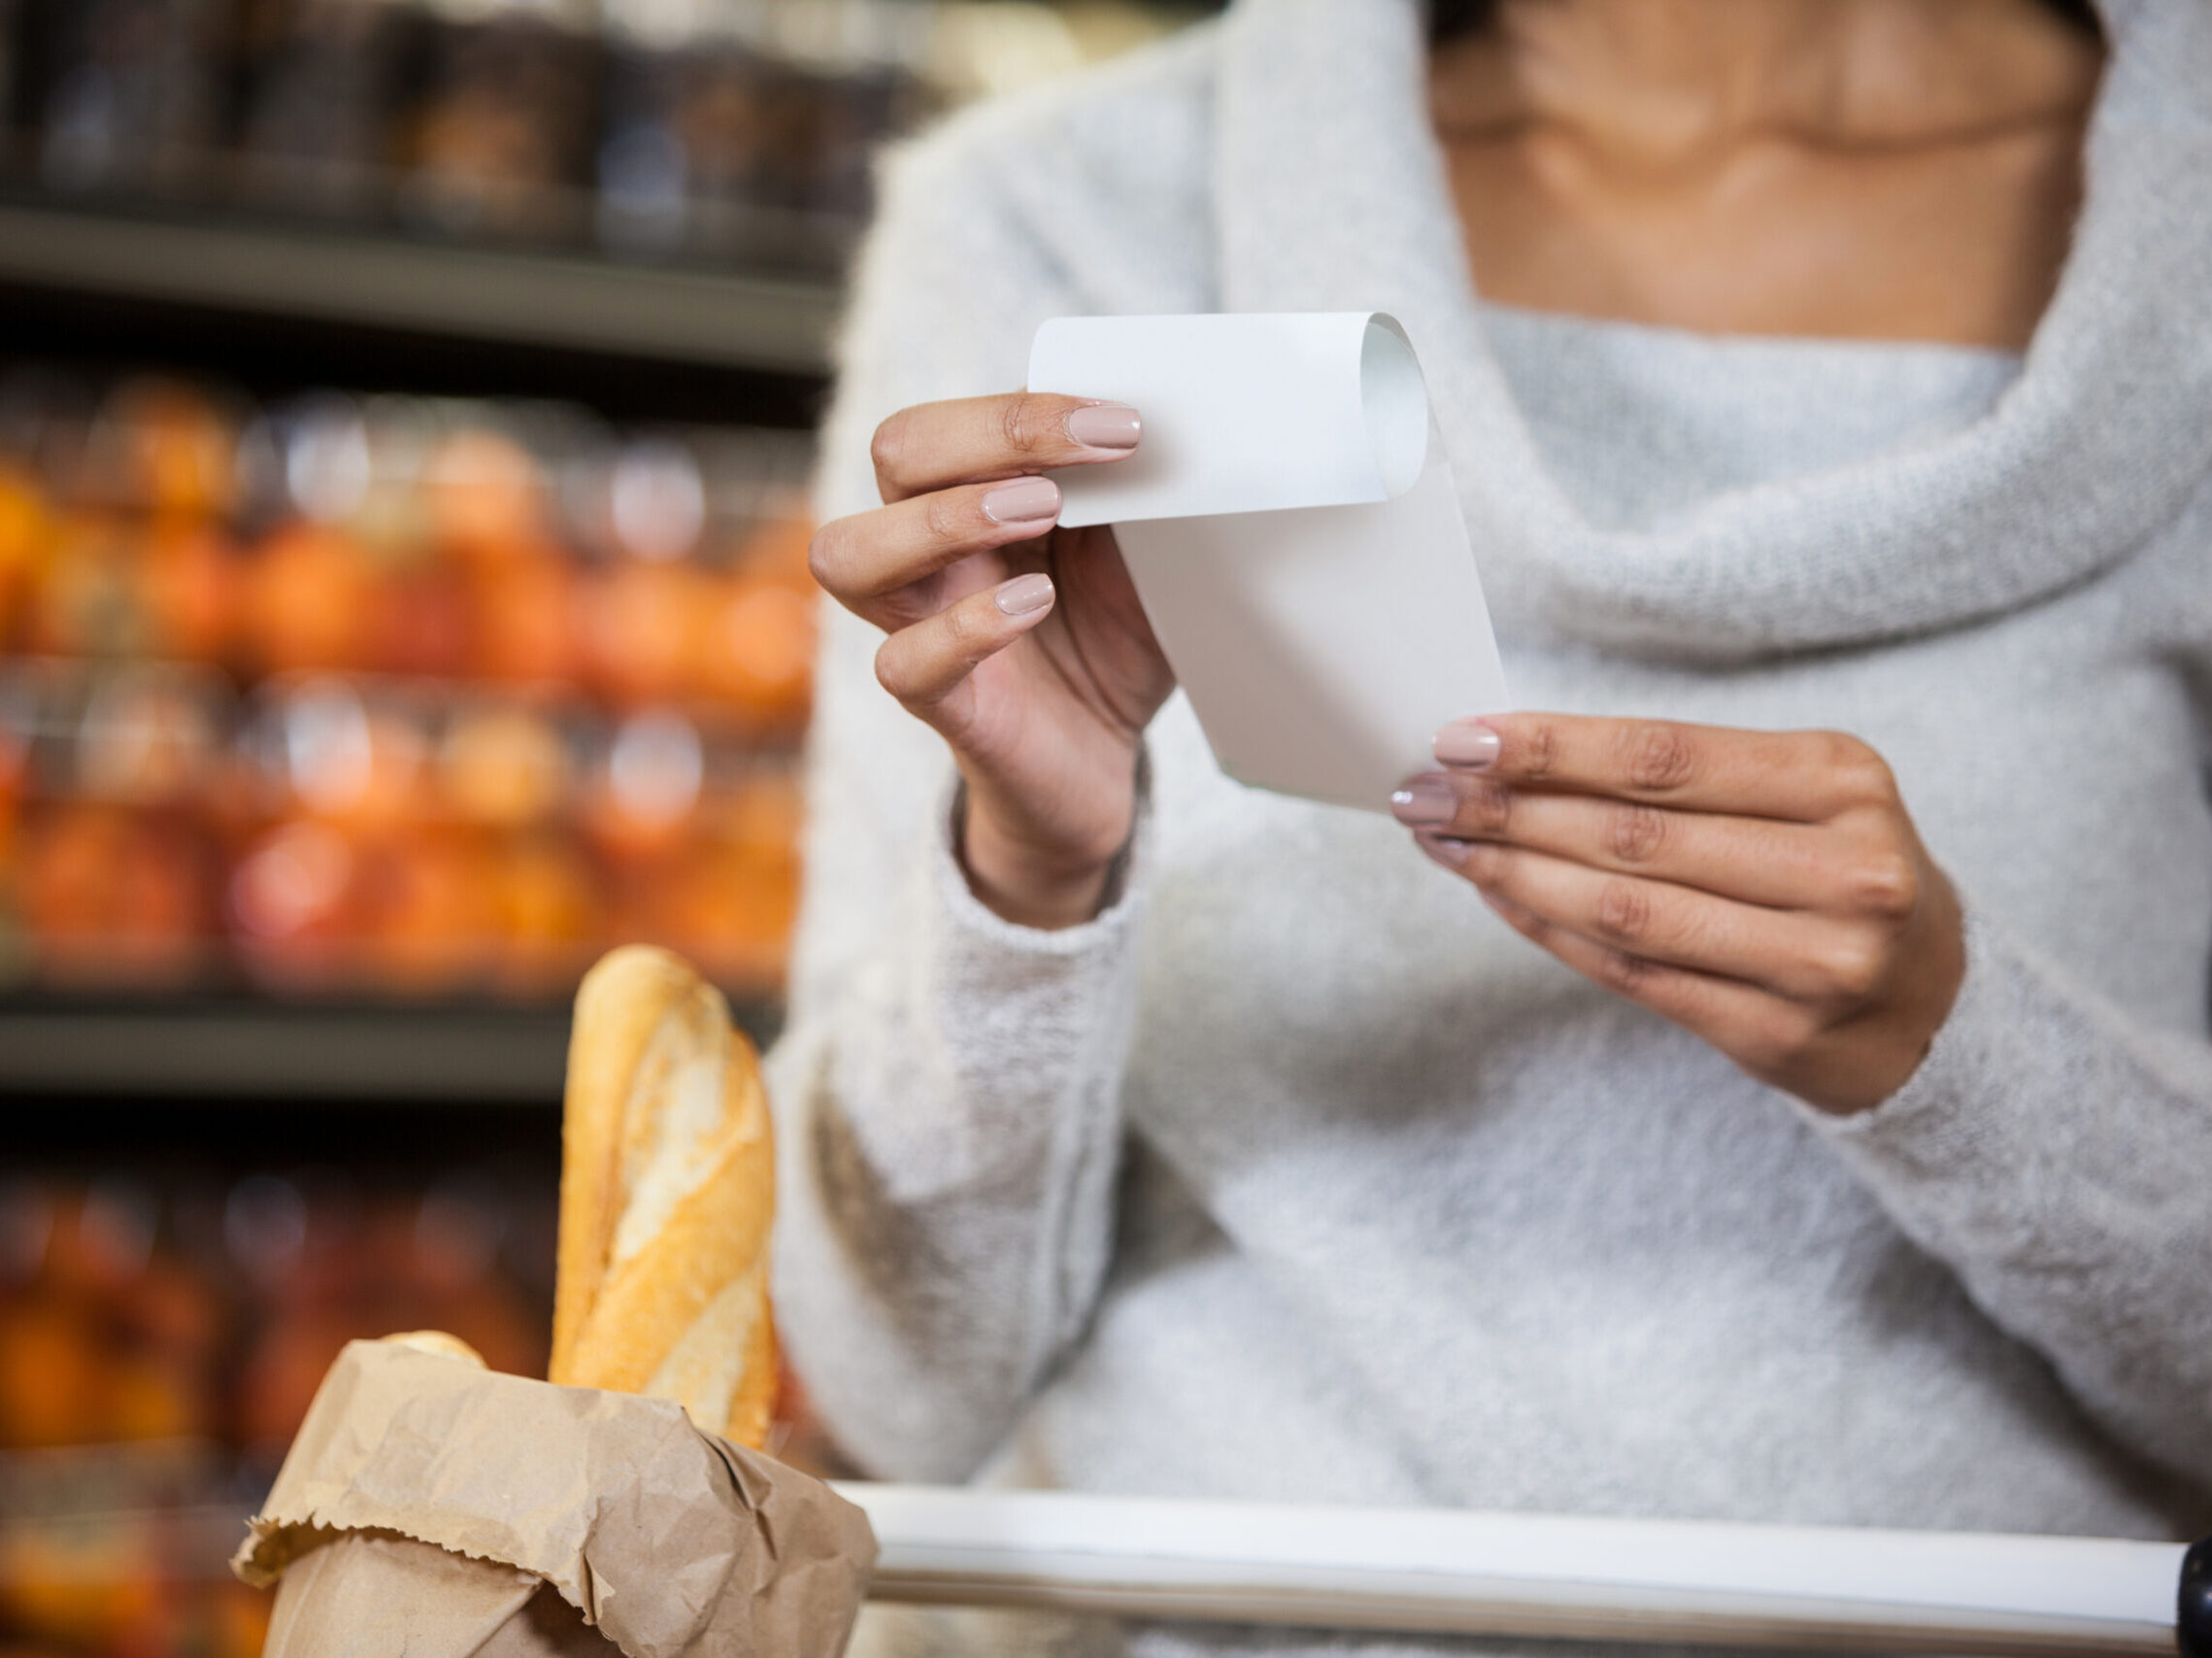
[1016, 641]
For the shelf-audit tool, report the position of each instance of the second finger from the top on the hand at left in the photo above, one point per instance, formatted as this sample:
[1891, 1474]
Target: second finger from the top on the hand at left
[875, 559]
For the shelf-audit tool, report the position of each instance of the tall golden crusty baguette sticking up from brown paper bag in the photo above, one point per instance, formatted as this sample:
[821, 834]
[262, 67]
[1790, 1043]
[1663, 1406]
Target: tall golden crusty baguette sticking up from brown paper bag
[667, 1199]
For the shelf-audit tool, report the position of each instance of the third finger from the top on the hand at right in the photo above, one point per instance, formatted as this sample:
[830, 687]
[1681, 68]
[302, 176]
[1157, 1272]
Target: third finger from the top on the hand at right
[1793, 955]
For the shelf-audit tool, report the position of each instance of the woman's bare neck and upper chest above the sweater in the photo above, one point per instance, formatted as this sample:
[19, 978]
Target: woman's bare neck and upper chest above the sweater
[1868, 169]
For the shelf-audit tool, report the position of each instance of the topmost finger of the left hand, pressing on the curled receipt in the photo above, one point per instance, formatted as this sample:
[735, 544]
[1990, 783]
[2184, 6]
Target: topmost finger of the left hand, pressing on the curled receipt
[997, 437]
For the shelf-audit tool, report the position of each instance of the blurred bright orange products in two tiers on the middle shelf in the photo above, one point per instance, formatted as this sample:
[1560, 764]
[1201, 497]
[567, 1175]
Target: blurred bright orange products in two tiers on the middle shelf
[390, 696]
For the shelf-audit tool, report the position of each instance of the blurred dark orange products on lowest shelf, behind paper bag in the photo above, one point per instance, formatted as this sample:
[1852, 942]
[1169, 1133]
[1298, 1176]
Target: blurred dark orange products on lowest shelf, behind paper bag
[160, 1340]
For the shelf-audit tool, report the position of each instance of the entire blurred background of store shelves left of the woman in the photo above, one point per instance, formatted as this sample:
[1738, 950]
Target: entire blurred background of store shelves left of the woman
[406, 424]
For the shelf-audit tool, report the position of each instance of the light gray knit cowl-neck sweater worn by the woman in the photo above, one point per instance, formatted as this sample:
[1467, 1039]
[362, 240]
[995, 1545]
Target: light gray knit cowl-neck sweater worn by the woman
[1297, 1174]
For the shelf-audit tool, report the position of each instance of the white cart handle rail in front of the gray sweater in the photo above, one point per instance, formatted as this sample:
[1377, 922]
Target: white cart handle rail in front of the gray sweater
[1519, 1575]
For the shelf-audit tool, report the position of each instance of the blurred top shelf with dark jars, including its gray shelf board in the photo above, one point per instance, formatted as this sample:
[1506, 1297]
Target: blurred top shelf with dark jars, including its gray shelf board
[678, 180]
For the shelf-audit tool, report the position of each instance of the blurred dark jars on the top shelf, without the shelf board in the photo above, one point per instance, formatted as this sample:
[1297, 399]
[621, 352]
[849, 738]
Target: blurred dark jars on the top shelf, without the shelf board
[709, 134]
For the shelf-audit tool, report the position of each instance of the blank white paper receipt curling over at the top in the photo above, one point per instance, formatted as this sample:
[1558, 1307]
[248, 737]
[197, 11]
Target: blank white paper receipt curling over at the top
[1295, 537]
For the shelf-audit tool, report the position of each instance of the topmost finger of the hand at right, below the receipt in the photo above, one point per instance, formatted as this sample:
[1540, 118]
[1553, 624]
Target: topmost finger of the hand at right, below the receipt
[1797, 776]
